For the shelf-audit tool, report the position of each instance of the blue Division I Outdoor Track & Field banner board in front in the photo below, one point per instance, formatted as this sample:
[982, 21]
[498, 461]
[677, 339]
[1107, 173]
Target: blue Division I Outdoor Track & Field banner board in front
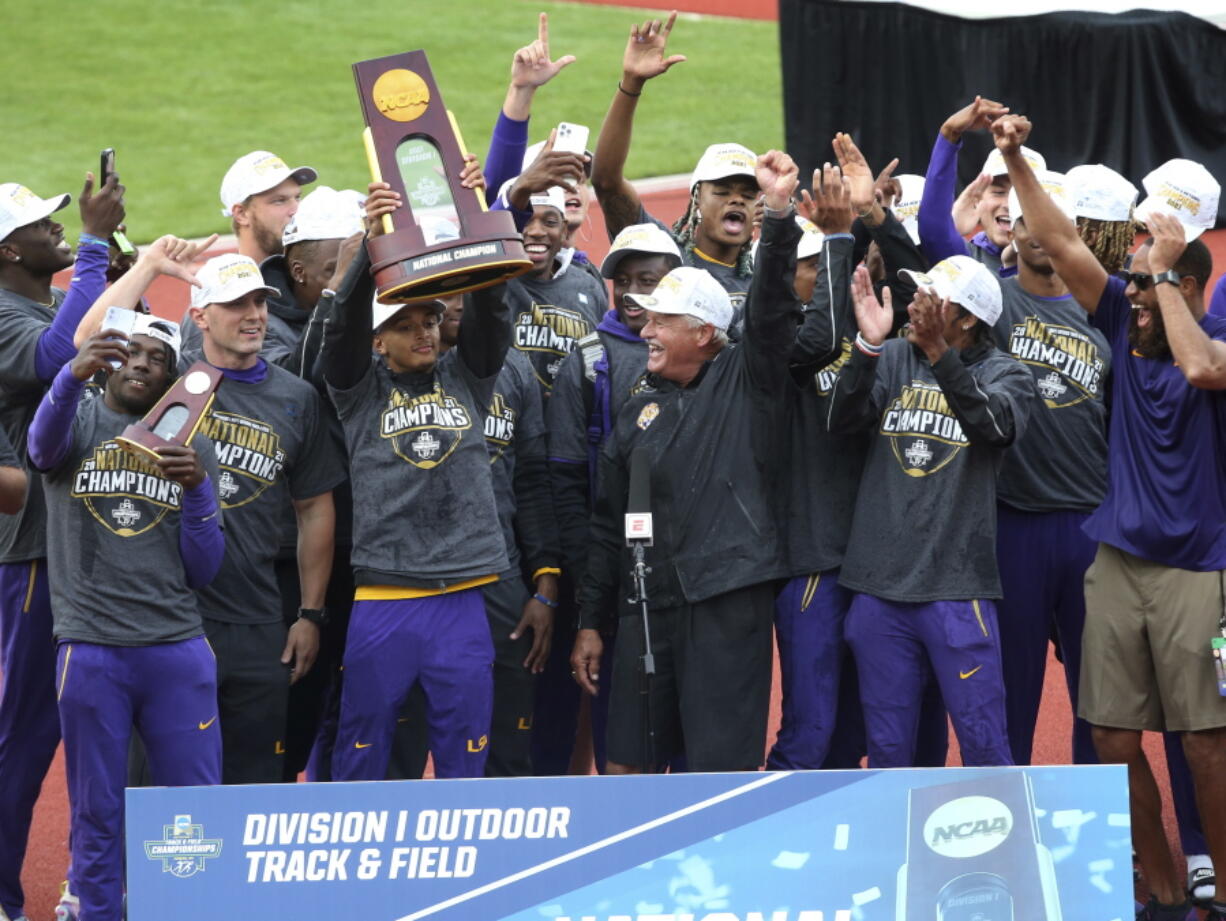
[967, 844]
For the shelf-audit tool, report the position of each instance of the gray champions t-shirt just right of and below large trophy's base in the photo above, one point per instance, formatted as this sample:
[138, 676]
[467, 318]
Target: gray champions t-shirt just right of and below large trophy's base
[549, 316]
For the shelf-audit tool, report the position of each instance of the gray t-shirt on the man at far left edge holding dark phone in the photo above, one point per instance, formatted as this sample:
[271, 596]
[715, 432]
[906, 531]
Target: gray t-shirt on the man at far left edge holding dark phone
[23, 537]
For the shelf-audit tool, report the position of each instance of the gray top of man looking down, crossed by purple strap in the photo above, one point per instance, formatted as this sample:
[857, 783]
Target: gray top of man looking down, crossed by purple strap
[568, 414]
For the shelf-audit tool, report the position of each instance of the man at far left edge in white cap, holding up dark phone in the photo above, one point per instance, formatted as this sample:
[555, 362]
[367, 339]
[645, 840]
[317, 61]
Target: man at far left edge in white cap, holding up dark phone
[39, 322]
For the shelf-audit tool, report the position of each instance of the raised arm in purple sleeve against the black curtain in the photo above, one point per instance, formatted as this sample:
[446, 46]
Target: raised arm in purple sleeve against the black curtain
[939, 234]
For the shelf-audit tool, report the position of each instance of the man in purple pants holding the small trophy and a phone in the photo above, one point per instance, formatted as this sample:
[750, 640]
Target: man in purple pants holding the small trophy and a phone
[131, 539]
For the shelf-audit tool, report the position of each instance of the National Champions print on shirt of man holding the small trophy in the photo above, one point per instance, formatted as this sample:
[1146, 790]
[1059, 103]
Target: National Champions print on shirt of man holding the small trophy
[126, 494]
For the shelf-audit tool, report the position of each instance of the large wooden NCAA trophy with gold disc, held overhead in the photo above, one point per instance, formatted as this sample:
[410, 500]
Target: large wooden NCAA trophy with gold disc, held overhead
[447, 242]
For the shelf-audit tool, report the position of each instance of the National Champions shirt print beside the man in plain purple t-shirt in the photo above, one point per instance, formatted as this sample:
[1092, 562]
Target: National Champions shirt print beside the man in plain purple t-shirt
[1067, 364]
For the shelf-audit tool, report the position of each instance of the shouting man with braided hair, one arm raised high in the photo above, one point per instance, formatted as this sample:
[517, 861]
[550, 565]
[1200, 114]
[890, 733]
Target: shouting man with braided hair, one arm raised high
[717, 231]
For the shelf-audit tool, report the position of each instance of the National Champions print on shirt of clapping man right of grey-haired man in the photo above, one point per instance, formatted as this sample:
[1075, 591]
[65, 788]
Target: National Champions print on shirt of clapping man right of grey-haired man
[925, 435]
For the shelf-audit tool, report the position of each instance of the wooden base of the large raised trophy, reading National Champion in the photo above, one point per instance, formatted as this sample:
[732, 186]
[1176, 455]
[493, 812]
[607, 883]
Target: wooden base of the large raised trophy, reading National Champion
[495, 254]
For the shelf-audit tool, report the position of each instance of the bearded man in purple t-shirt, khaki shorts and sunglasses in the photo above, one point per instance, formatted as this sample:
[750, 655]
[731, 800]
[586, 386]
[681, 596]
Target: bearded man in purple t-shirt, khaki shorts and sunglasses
[1154, 594]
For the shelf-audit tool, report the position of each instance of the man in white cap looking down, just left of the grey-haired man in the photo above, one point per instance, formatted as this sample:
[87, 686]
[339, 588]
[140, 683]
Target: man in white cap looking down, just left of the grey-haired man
[596, 380]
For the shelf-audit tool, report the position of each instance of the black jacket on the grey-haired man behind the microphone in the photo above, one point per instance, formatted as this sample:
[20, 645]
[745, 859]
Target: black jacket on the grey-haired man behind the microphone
[717, 449]
